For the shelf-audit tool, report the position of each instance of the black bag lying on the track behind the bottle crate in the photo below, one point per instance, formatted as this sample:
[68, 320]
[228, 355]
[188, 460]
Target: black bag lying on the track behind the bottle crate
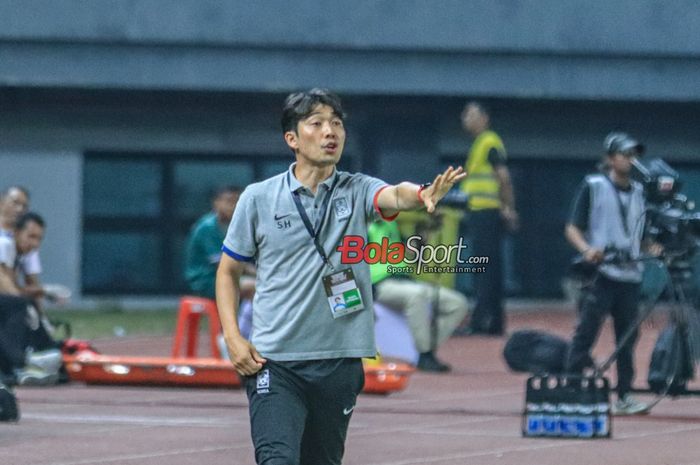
[537, 352]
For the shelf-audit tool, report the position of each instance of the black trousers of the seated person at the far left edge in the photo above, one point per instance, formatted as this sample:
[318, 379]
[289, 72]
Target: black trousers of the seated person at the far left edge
[13, 332]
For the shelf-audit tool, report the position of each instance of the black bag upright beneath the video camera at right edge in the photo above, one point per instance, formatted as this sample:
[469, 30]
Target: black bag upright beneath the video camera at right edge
[670, 359]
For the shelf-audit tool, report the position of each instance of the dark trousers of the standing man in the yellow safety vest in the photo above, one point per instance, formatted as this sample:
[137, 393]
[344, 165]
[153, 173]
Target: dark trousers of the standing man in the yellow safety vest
[487, 230]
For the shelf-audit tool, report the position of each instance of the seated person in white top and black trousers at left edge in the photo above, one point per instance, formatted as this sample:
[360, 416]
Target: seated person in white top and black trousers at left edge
[23, 335]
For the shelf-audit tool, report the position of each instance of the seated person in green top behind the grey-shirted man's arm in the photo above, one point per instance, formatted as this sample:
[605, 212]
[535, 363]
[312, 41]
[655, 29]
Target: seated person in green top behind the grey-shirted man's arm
[204, 251]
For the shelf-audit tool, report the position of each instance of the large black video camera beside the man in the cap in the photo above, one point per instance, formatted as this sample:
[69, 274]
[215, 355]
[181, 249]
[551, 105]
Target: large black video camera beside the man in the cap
[671, 217]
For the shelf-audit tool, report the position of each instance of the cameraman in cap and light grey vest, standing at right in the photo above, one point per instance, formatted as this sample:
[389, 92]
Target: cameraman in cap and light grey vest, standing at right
[608, 213]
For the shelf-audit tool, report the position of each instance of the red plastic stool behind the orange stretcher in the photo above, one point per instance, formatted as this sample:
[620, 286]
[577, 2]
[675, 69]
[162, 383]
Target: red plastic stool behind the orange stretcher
[191, 310]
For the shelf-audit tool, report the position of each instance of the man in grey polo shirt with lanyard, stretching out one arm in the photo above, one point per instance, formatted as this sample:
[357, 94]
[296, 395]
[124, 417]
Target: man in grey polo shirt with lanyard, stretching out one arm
[302, 366]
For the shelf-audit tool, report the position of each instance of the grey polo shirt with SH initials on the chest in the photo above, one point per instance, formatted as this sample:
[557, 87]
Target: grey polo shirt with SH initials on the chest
[291, 316]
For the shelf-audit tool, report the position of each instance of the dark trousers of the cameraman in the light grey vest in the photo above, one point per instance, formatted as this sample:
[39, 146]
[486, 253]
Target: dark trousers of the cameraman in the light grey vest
[621, 301]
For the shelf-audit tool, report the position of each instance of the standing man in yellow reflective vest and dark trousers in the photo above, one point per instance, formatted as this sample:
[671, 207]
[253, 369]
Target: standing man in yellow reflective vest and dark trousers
[492, 213]
